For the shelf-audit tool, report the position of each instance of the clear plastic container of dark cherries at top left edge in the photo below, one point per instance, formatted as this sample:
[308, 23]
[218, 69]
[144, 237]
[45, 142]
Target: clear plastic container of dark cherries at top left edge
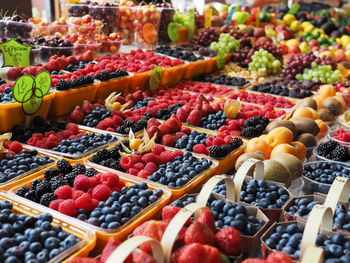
[12, 29]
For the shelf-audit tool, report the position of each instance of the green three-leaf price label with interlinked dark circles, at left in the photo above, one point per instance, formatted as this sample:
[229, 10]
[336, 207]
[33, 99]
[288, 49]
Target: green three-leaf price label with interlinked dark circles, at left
[30, 91]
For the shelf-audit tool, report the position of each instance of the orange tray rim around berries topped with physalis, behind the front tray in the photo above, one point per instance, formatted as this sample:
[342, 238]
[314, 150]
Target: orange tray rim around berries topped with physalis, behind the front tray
[191, 186]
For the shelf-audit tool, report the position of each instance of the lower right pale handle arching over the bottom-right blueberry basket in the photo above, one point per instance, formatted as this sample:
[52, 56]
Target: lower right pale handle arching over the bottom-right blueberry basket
[320, 215]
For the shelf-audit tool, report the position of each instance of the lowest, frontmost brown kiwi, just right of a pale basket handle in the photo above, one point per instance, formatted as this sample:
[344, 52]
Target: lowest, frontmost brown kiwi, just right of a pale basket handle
[276, 171]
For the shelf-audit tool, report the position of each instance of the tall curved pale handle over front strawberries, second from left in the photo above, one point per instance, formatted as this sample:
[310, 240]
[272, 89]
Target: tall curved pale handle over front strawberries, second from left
[176, 224]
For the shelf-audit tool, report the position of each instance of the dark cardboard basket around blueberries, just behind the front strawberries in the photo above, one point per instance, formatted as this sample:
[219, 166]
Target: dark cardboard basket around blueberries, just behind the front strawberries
[250, 244]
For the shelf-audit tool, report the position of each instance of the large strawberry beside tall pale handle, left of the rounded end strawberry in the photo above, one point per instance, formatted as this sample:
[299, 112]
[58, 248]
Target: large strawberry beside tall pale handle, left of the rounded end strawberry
[199, 233]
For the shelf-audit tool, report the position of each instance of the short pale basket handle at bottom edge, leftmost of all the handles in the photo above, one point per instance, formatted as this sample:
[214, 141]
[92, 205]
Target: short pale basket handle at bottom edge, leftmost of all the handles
[127, 247]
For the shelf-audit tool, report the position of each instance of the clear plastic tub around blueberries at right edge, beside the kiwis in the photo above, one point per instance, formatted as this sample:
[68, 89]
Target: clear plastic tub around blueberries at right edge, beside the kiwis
[312, 186]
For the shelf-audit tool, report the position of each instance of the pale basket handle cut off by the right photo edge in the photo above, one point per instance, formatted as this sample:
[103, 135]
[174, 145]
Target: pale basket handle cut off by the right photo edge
[339, 191]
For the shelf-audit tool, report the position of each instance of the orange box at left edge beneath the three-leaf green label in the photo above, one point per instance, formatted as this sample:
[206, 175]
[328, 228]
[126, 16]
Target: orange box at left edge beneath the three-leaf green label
[12, 114]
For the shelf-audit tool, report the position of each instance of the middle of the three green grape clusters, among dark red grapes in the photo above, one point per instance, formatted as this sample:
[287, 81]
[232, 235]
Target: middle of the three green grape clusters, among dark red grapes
[263, 59]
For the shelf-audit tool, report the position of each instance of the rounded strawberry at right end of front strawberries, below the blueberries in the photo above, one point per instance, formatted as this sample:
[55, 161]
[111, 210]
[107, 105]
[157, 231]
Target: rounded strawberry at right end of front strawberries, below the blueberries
[228, 240]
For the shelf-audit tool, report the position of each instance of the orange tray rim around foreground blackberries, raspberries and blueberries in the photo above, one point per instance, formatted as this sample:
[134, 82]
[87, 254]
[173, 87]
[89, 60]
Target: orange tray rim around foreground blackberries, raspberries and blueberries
[104, 234]
